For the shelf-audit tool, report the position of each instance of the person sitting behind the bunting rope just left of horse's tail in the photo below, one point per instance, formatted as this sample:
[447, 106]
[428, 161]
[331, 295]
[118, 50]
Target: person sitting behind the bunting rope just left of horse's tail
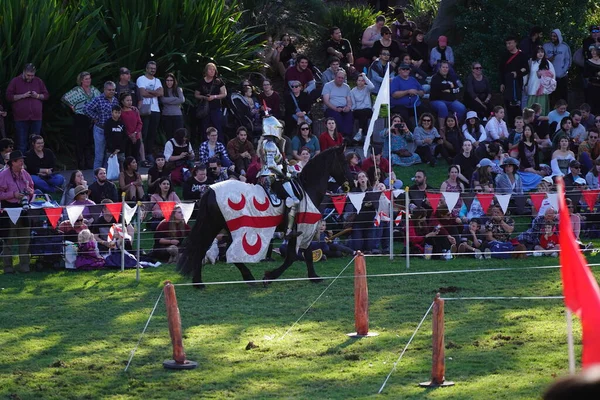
[169, 236]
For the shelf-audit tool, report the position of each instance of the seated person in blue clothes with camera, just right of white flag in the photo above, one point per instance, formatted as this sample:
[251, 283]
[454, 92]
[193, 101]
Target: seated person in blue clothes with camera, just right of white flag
[401, 140]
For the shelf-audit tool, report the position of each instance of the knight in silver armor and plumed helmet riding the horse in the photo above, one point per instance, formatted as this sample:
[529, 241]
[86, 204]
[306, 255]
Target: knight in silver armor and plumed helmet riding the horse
[276, 175]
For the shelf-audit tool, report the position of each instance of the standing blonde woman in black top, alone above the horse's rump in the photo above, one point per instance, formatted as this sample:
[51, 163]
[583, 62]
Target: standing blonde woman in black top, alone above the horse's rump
[212, 89]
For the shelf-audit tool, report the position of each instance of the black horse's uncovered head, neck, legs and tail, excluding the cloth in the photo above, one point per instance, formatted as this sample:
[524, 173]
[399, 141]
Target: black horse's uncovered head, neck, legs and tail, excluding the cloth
[313, 179]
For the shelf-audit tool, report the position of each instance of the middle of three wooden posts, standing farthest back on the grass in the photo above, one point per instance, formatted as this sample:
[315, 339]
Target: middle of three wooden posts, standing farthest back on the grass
[361, 298]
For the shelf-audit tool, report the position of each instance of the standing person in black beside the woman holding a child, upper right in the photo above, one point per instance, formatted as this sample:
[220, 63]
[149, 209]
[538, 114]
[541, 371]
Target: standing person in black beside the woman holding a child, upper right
[513, 67]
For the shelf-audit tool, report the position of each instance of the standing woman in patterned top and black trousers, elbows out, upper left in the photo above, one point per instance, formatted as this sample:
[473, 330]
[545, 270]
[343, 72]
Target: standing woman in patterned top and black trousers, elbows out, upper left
[76, 99]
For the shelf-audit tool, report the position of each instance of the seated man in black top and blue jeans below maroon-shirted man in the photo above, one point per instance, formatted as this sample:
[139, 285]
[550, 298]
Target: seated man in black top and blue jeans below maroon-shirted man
[40, 165]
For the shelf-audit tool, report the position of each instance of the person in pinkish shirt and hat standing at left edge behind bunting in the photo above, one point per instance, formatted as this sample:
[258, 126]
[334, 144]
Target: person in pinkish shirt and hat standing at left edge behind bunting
[16, 190]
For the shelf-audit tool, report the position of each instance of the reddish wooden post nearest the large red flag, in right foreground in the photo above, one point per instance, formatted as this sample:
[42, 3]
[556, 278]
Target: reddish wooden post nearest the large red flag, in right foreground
[438, 365]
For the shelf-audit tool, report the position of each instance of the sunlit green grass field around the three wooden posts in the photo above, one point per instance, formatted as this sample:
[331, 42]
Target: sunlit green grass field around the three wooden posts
[69, 335]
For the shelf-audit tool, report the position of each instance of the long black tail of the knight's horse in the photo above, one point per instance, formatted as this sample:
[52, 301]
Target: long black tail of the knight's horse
[193, 254]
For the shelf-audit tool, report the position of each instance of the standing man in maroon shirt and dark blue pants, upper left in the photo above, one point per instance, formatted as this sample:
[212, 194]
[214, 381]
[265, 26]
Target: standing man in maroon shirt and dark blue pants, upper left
[27, 92]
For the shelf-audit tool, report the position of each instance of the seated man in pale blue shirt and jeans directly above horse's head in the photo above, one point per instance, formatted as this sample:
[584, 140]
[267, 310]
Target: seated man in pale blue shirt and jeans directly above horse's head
[337, 99]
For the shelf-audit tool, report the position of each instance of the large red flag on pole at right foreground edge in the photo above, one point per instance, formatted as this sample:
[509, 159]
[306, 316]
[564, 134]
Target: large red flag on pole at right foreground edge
[582, 295]
